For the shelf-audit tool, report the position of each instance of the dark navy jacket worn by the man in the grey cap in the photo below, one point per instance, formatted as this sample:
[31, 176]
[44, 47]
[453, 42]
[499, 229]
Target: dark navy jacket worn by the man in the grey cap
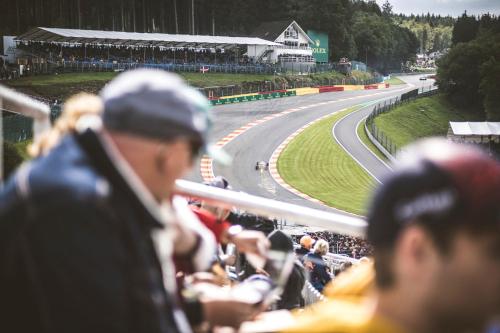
[76, 253]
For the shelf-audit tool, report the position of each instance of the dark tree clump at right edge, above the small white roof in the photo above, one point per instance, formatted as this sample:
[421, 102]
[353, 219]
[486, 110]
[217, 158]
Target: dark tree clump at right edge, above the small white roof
[469, 73]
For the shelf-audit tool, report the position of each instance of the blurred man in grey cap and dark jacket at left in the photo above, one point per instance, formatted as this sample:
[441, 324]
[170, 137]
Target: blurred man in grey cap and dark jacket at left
[88, 232]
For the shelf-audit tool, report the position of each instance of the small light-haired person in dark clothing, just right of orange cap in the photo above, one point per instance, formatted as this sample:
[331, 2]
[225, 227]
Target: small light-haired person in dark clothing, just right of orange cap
[319, 275]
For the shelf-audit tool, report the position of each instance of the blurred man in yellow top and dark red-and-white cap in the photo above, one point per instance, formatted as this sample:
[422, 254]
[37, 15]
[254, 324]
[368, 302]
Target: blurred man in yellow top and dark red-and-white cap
[435, 227]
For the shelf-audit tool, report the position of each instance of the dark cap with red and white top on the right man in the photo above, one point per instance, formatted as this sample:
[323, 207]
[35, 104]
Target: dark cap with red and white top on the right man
[439, 182]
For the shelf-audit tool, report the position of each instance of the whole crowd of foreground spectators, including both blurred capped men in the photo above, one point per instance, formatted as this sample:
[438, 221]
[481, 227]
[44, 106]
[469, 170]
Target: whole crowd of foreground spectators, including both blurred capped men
[94, 236]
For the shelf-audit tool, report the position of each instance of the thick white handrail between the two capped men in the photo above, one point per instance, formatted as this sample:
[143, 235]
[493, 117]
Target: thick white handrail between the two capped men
[334, 222]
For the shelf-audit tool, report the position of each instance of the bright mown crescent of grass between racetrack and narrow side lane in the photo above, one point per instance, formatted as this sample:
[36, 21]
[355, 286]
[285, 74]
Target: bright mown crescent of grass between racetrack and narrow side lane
[315, 164]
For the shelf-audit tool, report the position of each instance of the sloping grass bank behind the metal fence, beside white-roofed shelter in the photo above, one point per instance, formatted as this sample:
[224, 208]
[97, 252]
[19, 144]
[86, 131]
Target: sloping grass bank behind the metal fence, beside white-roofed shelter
[423, 117]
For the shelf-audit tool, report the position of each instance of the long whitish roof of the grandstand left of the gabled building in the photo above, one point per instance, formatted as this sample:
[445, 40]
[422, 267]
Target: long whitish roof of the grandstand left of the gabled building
[135, 39]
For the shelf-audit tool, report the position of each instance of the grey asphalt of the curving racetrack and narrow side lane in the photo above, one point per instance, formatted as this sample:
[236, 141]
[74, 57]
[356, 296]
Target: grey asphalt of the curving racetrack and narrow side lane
[259, 142]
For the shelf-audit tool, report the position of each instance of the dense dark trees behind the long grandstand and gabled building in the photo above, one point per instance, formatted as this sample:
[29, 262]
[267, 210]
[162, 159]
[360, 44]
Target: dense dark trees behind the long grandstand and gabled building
[357, 29]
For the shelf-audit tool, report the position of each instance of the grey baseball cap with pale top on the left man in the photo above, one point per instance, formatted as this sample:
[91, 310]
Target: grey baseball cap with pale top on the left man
[158, 105]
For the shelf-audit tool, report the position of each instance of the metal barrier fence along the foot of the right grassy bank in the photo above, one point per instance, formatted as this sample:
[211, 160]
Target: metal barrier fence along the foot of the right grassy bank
[382, 138]
